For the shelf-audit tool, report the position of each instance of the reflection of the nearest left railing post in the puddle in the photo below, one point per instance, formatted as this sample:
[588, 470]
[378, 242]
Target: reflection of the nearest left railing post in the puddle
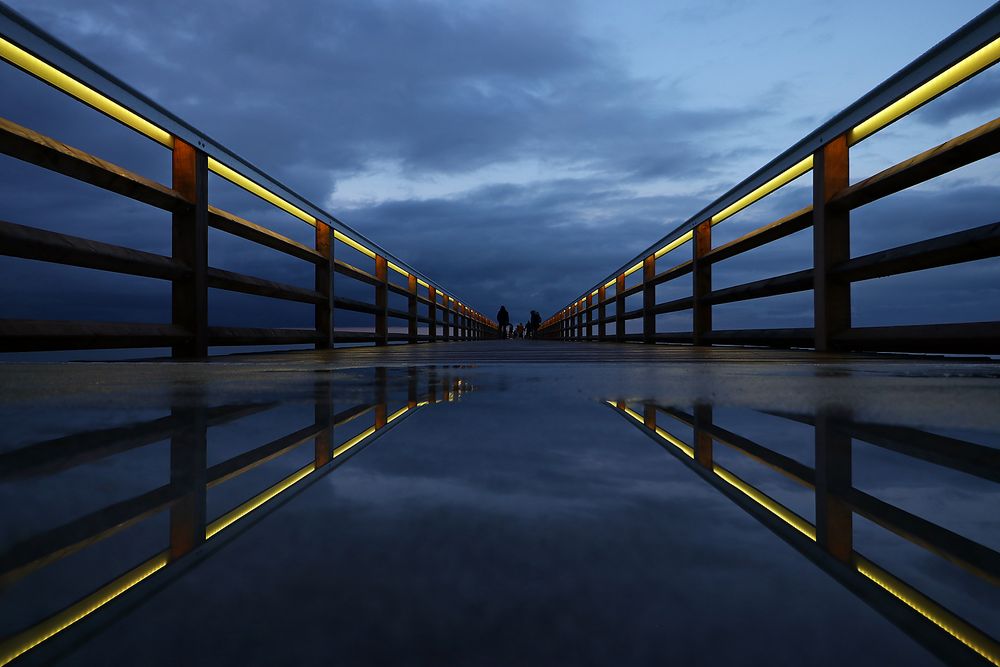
[188, 461]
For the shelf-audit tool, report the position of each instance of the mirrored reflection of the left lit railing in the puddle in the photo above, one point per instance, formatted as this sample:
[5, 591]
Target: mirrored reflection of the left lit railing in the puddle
[185, 495]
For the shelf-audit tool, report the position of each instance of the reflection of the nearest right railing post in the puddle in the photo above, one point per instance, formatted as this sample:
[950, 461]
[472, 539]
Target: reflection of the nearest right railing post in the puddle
[834, 519]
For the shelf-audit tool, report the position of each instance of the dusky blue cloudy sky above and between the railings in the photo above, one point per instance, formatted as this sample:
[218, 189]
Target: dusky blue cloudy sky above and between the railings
[515, 152]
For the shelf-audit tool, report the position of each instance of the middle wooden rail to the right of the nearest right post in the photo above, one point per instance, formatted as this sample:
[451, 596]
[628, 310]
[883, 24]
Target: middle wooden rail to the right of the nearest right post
[966, 246]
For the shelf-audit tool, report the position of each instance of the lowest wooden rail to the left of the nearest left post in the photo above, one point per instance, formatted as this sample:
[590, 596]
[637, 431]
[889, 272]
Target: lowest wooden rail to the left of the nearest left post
[38, 335]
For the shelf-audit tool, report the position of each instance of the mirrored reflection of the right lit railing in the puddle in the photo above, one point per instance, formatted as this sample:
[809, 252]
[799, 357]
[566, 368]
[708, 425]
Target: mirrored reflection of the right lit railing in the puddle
[829, 542]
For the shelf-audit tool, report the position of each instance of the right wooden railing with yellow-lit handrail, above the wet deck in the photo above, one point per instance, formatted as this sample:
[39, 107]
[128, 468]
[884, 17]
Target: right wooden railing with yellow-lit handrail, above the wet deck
[825, 153]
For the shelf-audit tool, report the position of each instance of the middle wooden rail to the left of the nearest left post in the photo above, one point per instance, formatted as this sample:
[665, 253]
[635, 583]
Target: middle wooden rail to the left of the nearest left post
[45, 246]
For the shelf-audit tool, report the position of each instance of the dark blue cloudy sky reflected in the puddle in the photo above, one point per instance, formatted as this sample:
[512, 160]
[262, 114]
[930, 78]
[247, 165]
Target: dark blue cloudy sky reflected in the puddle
[527, 523]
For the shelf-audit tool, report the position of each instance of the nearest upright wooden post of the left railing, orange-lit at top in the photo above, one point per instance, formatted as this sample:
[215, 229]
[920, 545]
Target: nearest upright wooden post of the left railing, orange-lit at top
[189, 295]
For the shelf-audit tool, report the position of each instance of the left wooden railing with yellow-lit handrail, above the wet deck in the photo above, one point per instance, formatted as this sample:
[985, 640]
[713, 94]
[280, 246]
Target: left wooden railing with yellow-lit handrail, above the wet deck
[194, 156]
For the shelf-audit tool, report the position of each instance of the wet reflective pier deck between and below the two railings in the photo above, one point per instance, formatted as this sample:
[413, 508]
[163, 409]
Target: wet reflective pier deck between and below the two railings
[510, 508]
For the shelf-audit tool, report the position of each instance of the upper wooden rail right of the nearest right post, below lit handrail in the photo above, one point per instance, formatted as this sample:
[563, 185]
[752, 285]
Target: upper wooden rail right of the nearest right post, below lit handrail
[960, 151]
